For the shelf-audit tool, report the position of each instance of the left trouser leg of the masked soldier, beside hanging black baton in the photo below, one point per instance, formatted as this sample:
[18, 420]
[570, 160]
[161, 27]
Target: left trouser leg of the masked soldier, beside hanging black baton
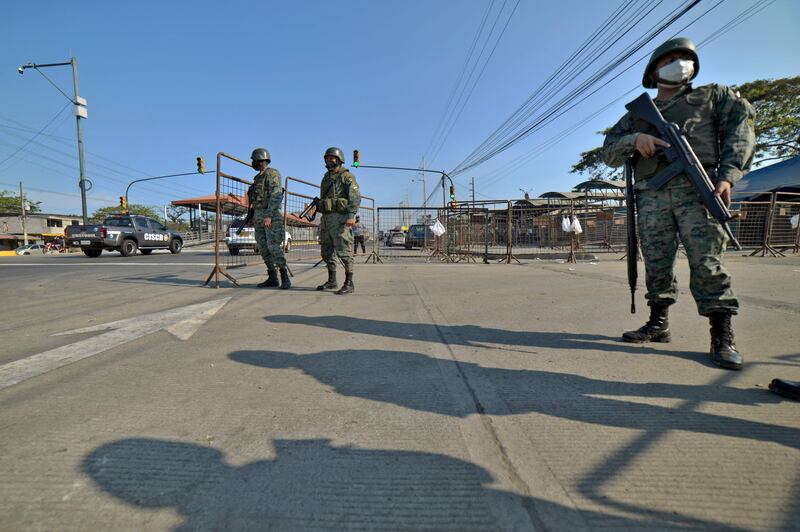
[658, 237]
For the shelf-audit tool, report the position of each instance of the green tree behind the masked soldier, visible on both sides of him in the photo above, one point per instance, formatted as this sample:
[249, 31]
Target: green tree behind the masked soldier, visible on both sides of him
[777, 126]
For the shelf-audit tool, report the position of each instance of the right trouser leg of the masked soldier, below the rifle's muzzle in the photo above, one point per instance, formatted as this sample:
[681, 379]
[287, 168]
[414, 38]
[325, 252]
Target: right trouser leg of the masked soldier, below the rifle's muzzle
[704, 240]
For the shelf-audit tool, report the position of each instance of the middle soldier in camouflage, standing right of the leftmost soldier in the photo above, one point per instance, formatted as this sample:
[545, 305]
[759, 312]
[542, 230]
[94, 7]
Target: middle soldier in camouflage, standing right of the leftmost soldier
[339, 200]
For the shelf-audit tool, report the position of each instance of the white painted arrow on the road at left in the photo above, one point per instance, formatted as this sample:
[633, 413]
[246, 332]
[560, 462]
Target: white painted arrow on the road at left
[182, 322]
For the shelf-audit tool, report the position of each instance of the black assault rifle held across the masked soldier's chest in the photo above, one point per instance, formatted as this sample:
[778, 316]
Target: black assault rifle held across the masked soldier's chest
[682, 160]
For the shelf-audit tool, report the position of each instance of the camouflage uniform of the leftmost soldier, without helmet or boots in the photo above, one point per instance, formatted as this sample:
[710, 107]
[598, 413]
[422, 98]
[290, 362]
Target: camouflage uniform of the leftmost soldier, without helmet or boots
[266, 197]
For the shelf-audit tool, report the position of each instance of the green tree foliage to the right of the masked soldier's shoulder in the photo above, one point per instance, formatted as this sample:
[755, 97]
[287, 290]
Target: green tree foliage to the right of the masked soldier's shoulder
[777, 124]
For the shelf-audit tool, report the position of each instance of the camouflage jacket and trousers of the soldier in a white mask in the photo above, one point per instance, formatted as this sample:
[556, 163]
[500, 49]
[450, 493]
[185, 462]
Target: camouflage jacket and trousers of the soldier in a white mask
[719, 127]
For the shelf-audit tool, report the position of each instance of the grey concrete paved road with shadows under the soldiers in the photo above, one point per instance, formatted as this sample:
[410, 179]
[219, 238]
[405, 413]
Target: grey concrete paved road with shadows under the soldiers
[462, 396]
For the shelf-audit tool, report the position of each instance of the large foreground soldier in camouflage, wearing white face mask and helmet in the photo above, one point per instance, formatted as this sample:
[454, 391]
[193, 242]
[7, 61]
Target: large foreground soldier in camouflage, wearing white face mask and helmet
[719, 126]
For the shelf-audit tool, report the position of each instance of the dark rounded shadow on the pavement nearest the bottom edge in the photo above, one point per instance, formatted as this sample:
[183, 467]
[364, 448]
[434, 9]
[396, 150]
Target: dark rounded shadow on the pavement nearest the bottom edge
[312, 485]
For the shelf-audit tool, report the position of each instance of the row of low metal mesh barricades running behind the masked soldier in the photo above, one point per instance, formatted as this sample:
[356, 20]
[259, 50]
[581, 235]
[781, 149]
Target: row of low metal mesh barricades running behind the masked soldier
[509, 230]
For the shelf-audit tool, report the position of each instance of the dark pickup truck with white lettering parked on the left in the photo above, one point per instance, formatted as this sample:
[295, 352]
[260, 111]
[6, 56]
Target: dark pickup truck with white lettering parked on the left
[125, 233]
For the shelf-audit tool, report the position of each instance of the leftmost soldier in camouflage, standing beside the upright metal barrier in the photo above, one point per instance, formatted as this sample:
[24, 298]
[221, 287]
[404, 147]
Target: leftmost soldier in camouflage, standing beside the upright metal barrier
[266, 199]
